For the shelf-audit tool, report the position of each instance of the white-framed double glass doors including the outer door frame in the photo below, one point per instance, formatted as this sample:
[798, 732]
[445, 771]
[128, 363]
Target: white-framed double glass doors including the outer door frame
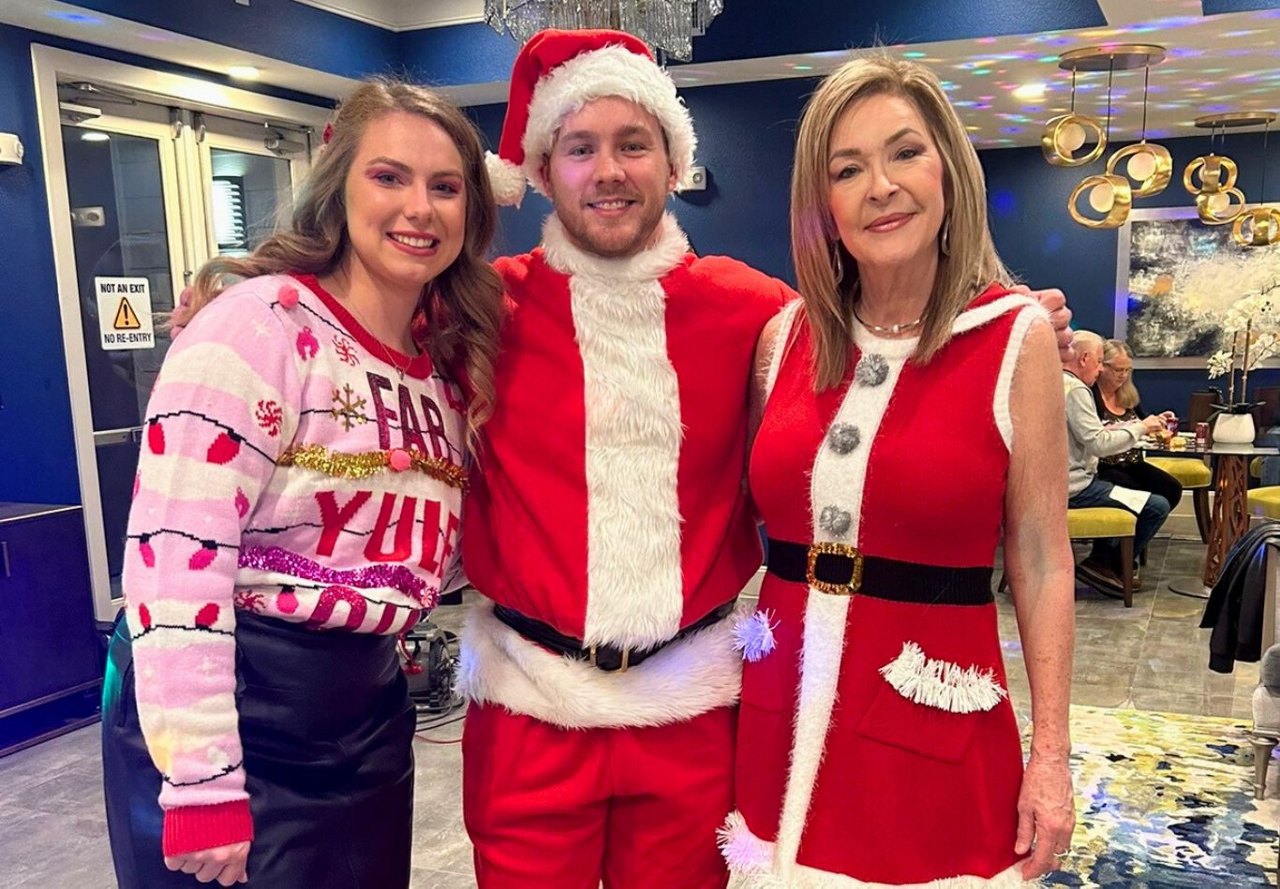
[132, 162]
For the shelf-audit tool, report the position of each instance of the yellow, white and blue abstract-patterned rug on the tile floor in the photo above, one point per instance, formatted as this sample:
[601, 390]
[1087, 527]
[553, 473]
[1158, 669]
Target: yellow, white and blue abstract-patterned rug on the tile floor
[1167, 800]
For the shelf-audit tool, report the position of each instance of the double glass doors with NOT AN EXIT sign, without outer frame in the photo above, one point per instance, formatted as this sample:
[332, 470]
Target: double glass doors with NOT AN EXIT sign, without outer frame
[154, 195]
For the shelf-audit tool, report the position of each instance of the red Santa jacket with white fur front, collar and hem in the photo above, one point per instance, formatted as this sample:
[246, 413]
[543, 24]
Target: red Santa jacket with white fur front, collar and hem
[610, 502]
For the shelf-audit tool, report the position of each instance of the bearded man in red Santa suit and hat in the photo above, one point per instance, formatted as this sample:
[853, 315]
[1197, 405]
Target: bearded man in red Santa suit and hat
[609, 530]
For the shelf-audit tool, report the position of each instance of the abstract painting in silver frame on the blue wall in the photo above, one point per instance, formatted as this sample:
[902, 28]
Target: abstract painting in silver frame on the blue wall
[1176, 279]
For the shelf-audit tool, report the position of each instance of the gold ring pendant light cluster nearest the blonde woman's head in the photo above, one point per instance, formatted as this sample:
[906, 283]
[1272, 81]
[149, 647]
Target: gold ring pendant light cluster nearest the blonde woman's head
[1150, 167]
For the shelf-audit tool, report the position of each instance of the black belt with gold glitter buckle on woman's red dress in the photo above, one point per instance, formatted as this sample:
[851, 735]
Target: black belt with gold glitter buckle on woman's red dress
[843, 571]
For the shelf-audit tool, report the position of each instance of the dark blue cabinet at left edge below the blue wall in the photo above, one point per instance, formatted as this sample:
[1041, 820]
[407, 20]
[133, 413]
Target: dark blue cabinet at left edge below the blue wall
[51, 648]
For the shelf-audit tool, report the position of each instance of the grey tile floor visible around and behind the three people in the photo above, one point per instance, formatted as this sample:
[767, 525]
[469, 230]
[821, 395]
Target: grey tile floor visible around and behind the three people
[1151, 657]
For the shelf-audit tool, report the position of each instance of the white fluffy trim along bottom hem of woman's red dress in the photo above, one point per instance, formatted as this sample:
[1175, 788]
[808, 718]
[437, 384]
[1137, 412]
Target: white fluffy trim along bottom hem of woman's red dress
[751, 859]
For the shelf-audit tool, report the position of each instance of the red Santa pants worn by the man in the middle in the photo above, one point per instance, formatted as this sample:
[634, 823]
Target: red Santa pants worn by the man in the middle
[634, 808]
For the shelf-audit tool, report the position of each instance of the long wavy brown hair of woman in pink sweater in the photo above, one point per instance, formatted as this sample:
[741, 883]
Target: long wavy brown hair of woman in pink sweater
[461, 310]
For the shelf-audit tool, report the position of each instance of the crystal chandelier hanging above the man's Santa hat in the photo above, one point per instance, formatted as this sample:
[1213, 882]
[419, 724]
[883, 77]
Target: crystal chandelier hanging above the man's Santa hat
[666, 25]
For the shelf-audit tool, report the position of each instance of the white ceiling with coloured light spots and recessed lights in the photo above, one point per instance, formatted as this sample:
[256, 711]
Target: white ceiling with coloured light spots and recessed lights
[1224, 63]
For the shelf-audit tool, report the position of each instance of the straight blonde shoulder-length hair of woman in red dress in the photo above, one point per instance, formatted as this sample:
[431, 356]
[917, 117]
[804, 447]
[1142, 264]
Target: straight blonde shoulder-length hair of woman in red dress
[970, 264]
